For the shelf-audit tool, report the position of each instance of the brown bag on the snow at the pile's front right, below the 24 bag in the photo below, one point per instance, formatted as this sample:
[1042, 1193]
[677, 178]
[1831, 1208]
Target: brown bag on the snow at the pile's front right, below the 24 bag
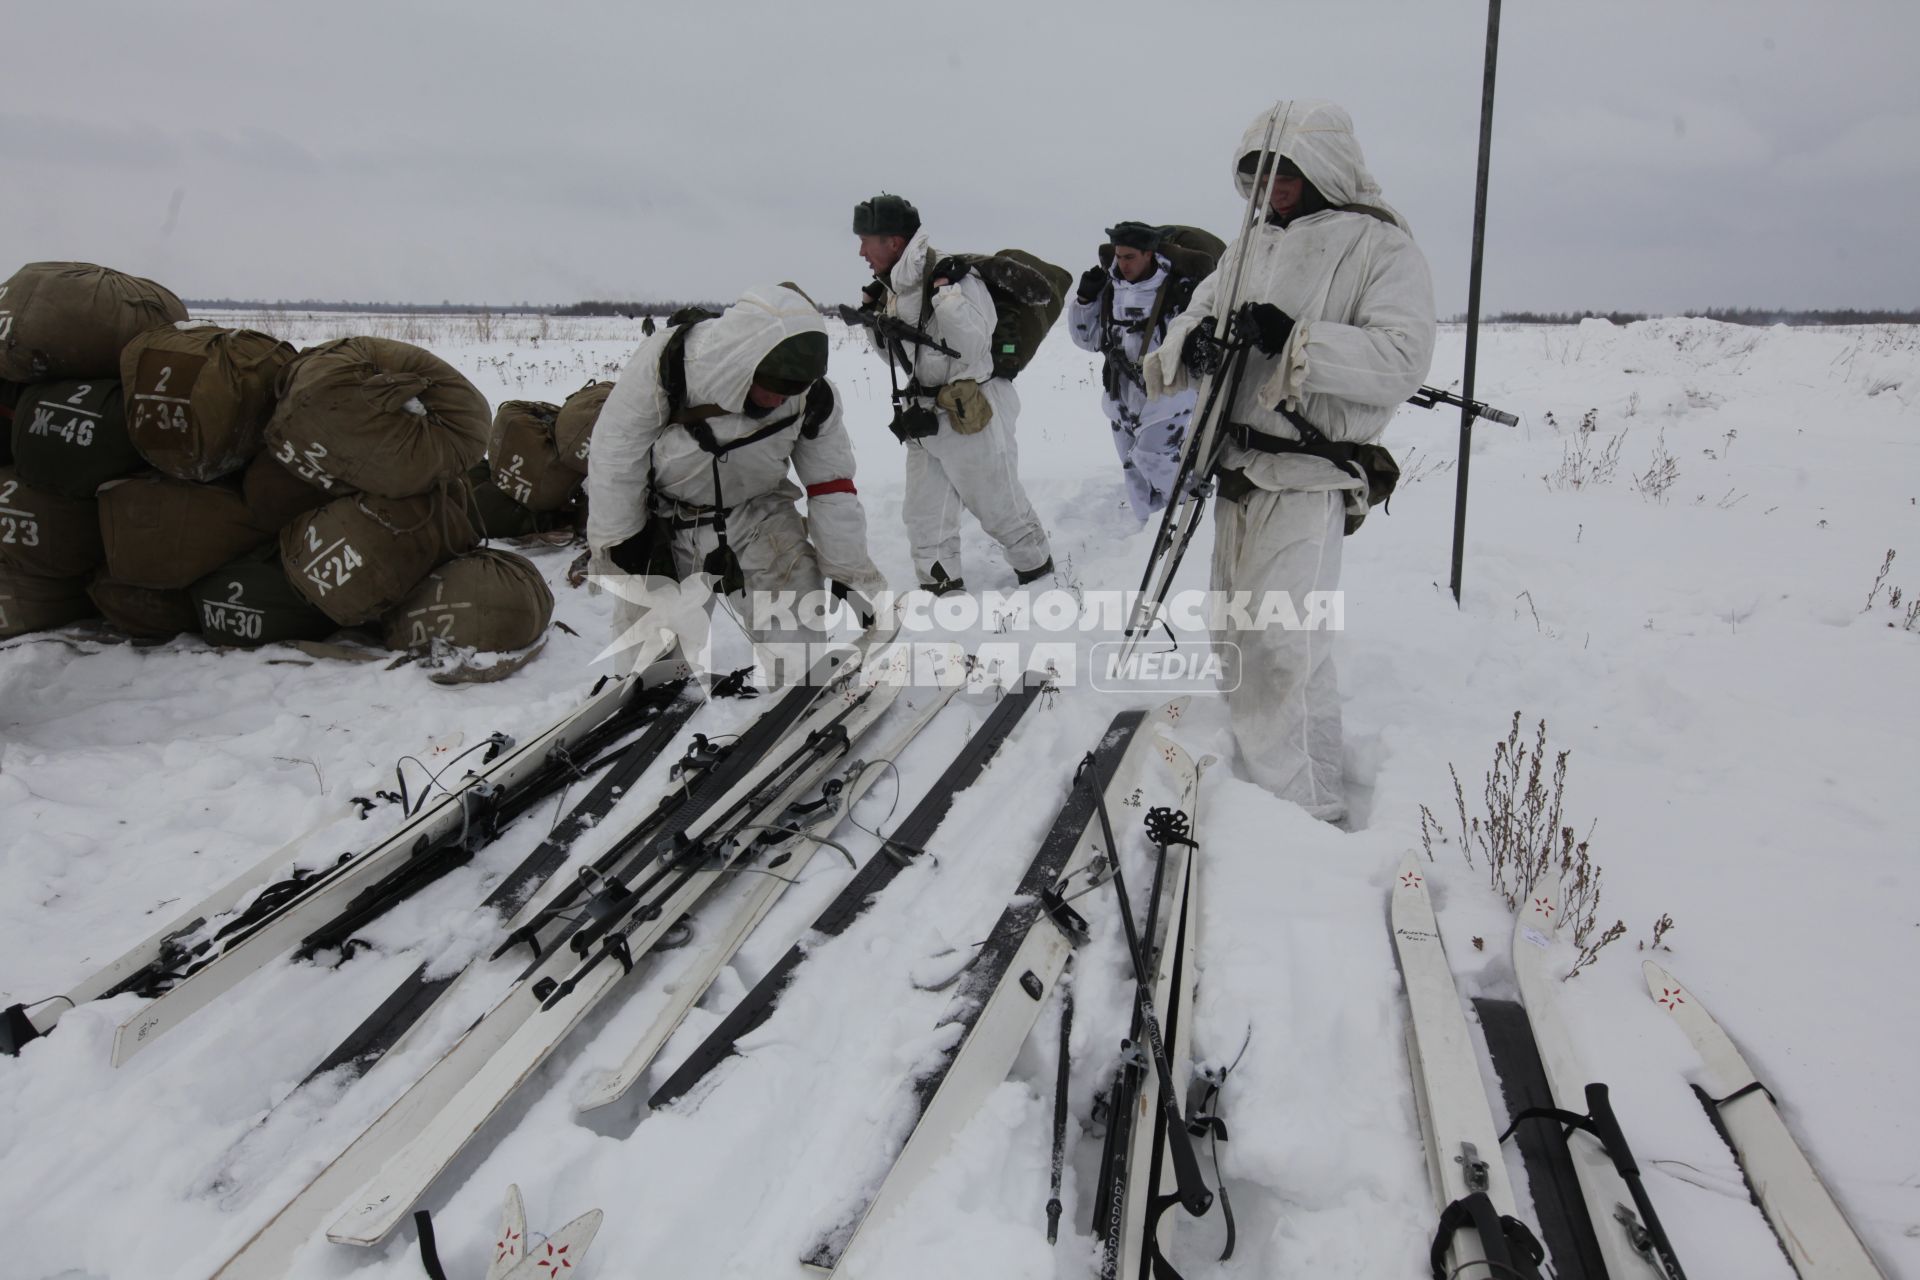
[492, 602]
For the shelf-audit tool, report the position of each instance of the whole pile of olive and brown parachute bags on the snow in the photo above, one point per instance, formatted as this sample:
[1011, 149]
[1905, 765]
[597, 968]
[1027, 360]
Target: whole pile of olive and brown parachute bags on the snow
[191, 479]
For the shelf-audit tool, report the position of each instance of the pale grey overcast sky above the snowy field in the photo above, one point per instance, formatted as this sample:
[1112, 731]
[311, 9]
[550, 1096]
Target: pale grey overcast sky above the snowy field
[1646, 156]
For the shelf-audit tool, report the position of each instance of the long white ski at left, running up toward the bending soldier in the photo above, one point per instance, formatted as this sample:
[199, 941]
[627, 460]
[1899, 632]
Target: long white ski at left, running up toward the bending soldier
[329, 891]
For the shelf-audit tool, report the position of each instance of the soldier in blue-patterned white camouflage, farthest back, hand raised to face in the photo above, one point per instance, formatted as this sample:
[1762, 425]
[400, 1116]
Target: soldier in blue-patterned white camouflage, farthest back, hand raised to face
[1122, 310]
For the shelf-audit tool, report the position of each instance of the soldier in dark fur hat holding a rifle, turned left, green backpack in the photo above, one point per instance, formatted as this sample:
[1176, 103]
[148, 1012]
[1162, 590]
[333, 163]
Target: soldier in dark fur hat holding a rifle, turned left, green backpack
[957, 410]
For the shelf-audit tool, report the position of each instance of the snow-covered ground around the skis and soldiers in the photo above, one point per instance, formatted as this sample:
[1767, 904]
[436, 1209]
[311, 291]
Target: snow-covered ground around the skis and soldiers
[1740, 715]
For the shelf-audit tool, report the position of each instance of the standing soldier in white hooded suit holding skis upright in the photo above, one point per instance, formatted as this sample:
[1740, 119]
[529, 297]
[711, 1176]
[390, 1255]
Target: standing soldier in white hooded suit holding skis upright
[1332, 335]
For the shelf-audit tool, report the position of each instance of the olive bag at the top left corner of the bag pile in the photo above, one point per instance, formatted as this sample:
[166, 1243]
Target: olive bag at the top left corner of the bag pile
[64, 321]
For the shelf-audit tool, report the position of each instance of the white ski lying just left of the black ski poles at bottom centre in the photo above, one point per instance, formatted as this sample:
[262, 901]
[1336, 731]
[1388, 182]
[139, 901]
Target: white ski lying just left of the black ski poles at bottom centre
[997, 1005]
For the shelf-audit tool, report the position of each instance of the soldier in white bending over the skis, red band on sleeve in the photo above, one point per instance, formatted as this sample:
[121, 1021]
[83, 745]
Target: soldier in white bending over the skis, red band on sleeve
[692, 454]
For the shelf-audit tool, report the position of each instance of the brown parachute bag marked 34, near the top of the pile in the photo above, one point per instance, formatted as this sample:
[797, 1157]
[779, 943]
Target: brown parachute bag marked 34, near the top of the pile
[199, 396]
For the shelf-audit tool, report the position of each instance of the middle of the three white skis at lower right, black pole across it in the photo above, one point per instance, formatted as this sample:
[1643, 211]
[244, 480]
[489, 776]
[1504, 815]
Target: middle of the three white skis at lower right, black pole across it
[1618, 1227]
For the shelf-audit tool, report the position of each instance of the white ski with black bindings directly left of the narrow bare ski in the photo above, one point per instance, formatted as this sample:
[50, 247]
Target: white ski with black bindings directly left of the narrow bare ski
[408, 1173]
